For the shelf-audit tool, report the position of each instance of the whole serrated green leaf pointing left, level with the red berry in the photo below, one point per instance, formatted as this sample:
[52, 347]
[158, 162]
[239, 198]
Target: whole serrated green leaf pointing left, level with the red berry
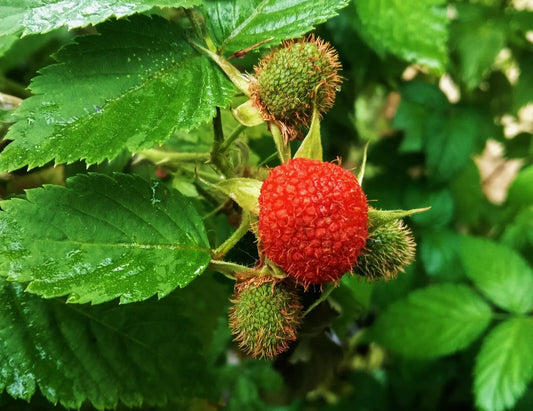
[102, 237]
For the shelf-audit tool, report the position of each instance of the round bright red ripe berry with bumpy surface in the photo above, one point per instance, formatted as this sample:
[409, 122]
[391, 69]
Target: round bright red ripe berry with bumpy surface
[313, 220]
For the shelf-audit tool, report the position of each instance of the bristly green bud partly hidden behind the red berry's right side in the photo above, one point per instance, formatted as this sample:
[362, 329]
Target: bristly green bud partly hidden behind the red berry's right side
[388, 249]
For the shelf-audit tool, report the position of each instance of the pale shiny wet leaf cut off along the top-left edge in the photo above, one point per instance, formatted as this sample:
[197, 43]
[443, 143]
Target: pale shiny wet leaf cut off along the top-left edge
[30, 16]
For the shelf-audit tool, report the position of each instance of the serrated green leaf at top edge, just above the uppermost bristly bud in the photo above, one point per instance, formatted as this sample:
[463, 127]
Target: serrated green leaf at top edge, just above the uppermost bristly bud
[239, 24]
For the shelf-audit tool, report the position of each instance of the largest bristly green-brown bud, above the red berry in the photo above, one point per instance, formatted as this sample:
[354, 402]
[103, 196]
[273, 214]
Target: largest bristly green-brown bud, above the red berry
[291, 78]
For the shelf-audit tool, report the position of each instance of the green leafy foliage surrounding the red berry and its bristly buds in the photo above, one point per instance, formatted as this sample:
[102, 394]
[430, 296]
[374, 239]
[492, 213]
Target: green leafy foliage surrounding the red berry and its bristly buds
[443, 91]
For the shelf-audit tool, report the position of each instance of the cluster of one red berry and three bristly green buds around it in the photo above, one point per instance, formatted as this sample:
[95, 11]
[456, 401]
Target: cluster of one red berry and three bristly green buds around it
[314, 224]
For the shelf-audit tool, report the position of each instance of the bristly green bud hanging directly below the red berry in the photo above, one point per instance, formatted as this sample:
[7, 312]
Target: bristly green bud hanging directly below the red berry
[265, 315]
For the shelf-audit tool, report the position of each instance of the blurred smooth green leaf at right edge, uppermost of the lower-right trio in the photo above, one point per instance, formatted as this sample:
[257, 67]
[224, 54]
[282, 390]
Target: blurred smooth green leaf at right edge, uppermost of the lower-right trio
[500, 273]
